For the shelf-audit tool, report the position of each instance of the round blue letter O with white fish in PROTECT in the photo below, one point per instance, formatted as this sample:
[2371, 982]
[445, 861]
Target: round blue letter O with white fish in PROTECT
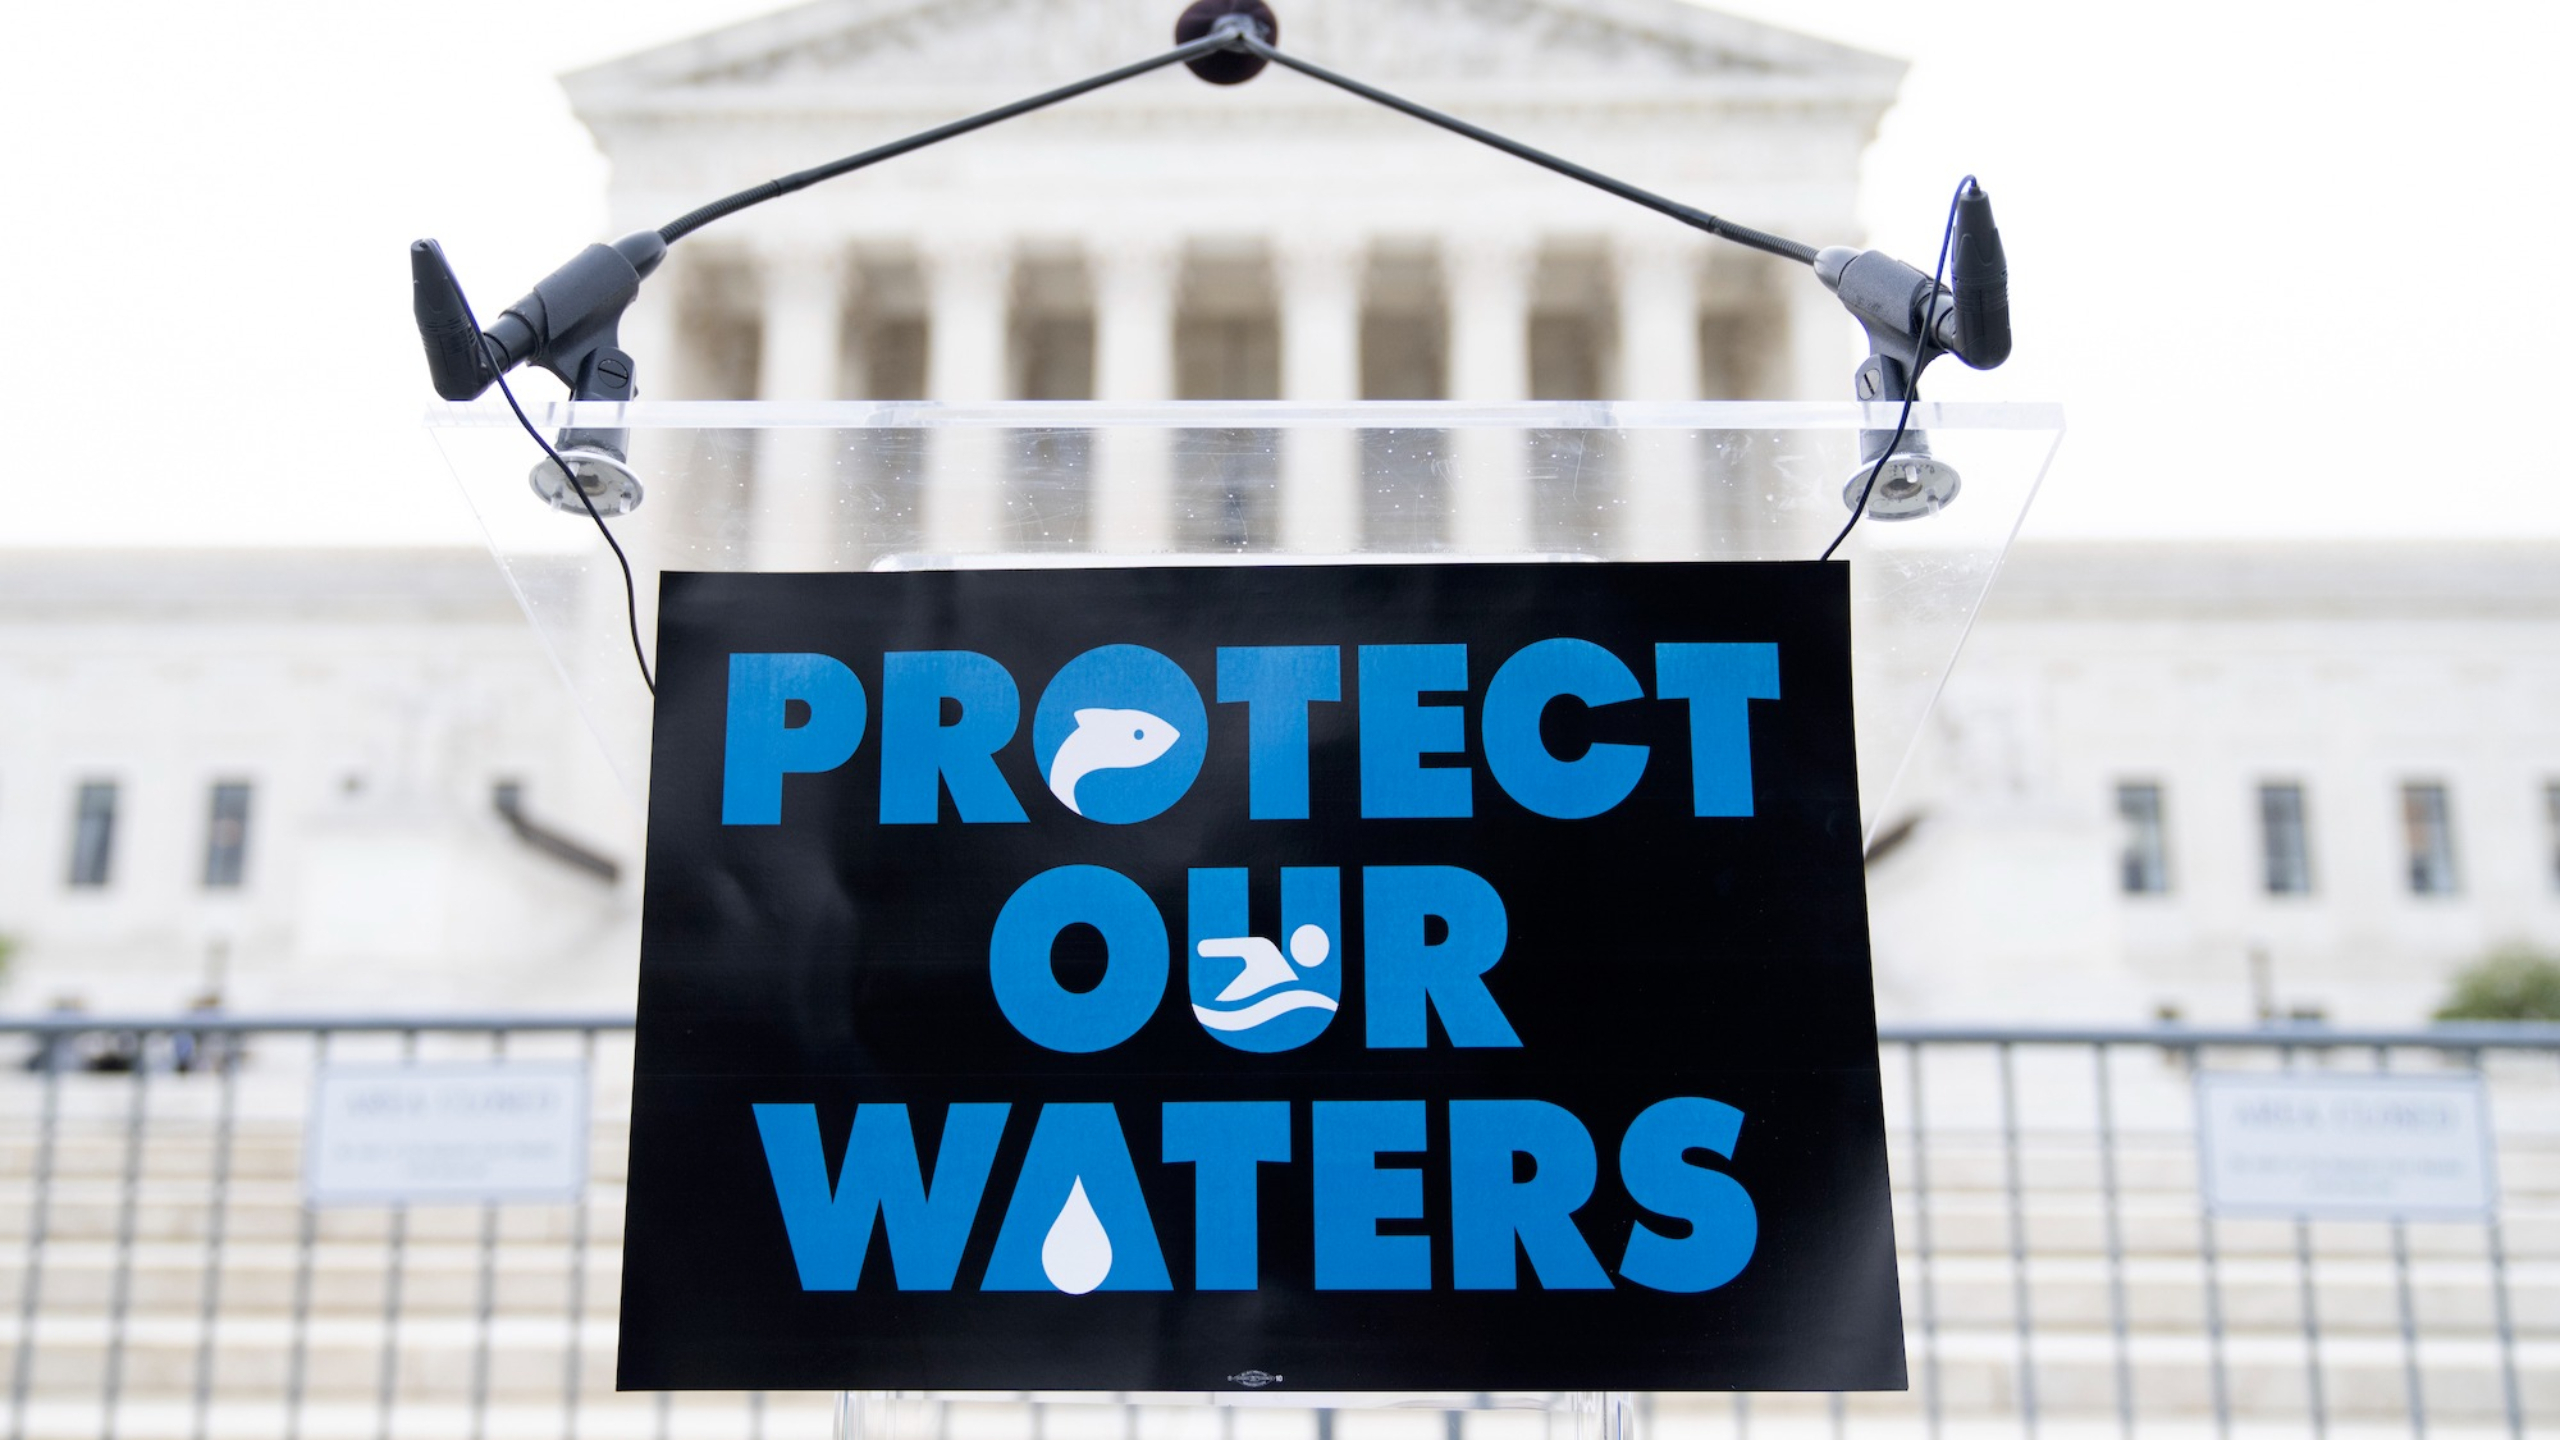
[1120, 734]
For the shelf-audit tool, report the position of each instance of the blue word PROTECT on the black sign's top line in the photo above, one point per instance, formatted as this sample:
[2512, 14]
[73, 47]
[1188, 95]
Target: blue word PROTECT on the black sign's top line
[1120, 734]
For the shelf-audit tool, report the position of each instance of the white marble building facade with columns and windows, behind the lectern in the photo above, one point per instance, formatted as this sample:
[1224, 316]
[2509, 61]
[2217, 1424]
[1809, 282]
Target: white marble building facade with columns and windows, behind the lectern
[393, 726]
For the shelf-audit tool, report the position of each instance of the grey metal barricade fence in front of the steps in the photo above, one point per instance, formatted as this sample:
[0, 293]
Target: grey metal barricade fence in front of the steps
[163, 1275]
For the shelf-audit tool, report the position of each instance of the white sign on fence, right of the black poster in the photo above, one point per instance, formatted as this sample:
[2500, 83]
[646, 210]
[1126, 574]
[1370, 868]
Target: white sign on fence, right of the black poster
[2346, 1147]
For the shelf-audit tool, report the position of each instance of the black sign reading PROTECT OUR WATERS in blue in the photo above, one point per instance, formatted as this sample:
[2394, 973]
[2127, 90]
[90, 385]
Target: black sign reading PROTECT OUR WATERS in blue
[1312, 978]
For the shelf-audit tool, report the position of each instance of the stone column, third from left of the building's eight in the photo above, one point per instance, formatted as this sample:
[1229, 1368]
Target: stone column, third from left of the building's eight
[969, 296]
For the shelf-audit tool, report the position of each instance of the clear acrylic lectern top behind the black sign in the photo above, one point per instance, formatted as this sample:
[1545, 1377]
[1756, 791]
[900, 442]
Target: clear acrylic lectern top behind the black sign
[915, 486]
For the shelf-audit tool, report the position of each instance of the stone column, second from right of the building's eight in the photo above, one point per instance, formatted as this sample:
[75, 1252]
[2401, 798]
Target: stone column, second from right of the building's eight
[1658, 363]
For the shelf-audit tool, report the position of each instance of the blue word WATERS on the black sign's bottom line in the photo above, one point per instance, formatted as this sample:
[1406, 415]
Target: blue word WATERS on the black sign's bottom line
[1079, 1213]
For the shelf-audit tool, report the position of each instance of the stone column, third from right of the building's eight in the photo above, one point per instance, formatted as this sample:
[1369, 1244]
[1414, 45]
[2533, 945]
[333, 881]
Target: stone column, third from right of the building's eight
[1489, 365]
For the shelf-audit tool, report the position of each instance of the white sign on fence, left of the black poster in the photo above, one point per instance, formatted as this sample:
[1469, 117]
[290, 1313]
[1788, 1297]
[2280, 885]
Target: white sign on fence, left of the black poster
[447, 1134]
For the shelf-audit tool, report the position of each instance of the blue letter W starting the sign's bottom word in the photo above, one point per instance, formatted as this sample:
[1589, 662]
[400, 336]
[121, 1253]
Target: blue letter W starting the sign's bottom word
[831, 1226]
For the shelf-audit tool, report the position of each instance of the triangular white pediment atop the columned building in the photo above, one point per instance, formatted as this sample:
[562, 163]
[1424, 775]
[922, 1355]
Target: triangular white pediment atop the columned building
[854, 47]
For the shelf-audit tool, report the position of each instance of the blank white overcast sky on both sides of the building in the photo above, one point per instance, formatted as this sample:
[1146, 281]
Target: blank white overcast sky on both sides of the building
[2285, 265]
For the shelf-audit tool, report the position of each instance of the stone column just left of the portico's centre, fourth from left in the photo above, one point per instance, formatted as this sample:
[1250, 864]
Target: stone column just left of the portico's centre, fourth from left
[1135, 299]
